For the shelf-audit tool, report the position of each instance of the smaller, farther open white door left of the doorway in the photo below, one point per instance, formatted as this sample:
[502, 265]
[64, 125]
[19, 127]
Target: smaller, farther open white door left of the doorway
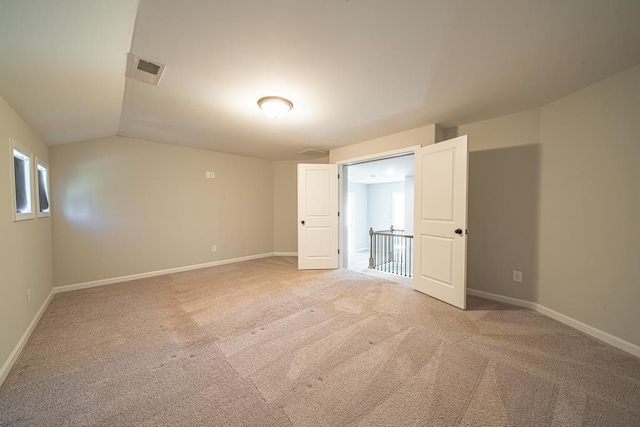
[317, 216]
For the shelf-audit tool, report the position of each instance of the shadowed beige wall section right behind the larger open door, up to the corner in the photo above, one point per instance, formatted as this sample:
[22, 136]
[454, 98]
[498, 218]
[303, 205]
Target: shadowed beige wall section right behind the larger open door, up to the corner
[504, 164]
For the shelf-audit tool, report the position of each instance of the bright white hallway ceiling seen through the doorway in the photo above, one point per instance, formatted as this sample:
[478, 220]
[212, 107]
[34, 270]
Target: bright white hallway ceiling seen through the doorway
[381, 171]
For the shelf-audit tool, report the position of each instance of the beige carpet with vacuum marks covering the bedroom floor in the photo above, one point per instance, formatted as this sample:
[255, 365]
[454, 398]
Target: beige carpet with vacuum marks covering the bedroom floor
[259, 343]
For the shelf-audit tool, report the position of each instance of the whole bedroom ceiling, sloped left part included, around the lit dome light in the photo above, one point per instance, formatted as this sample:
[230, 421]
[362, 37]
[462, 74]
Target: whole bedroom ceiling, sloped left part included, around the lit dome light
[354, 70]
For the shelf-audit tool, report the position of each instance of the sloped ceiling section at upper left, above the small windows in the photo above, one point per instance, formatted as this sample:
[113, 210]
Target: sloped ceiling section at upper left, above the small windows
[62, 64]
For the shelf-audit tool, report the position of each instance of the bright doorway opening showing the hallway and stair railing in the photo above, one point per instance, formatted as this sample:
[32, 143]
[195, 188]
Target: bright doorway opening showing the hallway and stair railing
[379, 217]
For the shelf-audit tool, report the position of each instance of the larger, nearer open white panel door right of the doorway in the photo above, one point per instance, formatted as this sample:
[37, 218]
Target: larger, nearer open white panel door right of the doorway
[440, 222]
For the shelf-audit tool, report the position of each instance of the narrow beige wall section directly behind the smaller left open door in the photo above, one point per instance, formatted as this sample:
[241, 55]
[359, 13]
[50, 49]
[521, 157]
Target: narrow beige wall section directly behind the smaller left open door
[285, 204]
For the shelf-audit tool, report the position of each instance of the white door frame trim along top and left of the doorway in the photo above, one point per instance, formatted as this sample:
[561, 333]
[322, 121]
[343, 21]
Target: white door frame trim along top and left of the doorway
[343, 189]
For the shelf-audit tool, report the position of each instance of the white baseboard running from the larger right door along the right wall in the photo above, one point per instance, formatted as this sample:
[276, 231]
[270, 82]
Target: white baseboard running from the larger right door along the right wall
[569, 321]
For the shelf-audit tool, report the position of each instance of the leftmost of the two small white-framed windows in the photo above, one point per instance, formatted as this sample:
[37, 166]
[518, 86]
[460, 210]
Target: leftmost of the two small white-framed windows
[21, 177]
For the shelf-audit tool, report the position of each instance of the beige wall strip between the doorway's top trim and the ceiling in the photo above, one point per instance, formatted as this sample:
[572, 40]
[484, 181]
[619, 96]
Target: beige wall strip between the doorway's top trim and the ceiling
[425, 135]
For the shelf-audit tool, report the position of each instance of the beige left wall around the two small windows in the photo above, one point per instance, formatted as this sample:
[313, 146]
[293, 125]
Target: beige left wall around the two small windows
[25, 246]
